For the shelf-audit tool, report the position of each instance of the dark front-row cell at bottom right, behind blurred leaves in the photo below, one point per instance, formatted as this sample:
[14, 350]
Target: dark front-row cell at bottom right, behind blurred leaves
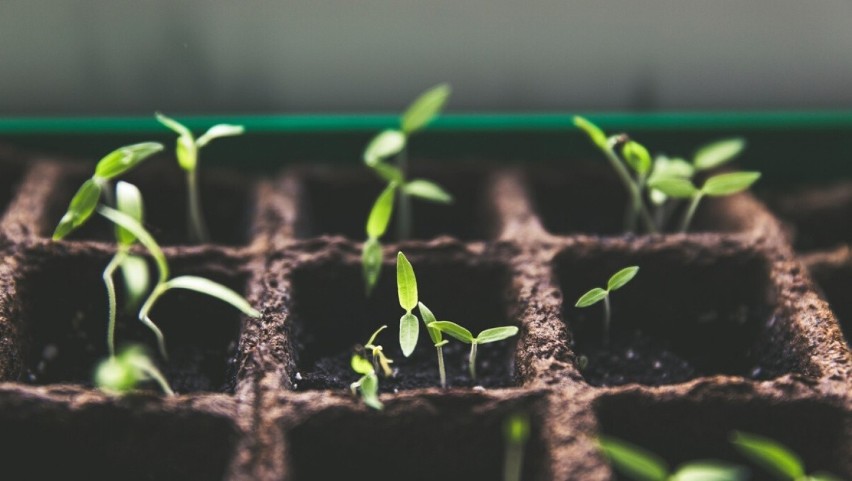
[681, 430]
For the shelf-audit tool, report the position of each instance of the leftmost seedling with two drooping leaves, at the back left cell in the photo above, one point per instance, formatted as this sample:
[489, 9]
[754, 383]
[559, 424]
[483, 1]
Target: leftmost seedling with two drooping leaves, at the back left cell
[109, 168]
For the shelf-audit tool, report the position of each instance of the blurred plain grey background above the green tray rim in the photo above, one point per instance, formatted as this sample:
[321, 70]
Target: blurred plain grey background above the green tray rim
[132, 57]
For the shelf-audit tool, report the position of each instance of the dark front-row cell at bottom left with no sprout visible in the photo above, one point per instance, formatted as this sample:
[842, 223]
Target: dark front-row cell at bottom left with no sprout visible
[101, 442]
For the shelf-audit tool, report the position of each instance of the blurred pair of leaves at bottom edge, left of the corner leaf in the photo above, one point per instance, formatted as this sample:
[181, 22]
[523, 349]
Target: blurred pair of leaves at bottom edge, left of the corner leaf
[641, 465]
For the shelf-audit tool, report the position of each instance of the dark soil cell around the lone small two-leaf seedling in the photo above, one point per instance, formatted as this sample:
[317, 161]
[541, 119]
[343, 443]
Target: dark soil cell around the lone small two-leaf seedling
[683, 316]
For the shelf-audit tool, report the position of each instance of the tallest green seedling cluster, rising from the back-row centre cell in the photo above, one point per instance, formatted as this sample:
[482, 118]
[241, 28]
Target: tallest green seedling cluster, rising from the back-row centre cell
[387, 144]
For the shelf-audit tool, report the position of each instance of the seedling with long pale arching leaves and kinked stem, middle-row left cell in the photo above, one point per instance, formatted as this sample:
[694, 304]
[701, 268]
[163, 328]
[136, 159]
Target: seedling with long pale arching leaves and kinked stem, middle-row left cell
[165, 283]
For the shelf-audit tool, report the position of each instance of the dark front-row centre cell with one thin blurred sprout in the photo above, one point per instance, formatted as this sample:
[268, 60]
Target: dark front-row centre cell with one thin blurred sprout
[450, 441]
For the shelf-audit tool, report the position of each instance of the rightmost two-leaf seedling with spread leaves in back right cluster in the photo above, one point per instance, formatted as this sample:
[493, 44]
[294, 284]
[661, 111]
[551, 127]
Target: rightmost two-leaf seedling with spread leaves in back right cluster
[717, 186]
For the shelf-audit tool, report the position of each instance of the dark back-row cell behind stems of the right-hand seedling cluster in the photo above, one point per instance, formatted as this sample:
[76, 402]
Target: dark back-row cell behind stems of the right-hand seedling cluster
[591, 200]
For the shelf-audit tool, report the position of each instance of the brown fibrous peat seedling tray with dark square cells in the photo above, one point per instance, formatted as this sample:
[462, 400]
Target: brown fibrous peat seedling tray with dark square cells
[733, 301]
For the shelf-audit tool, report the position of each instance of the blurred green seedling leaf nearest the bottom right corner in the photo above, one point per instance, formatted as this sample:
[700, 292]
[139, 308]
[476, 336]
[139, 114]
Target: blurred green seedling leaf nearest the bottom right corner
[775, 458]
